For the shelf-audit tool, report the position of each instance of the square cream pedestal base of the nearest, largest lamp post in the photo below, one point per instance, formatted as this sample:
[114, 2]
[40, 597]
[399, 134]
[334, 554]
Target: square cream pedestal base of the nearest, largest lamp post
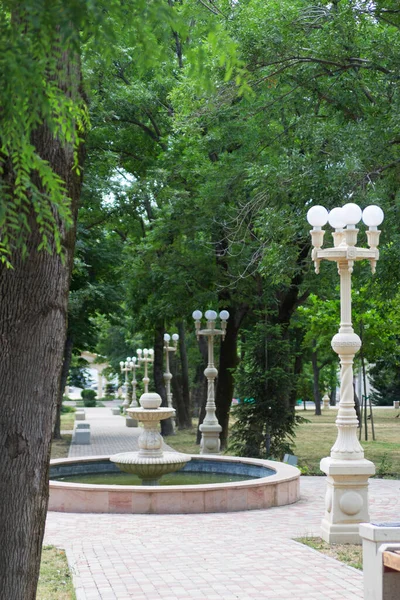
[346, 499]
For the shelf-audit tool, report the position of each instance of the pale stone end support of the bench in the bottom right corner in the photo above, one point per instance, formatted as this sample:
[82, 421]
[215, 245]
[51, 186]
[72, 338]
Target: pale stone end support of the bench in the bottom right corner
[379, 583]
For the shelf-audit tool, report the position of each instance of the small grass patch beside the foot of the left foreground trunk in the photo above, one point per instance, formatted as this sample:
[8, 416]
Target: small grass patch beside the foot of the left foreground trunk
[55, 580]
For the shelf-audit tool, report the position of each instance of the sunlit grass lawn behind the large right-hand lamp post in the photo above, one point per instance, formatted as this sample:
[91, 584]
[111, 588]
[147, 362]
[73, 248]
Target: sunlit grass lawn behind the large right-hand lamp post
[315, 439]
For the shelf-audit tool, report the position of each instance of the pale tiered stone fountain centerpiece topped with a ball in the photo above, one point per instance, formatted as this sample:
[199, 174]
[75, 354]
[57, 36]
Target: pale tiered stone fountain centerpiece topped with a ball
[150, 462]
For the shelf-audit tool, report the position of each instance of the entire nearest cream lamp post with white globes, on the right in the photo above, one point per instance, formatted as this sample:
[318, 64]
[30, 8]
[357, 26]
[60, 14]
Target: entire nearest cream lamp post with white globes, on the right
[346, 500]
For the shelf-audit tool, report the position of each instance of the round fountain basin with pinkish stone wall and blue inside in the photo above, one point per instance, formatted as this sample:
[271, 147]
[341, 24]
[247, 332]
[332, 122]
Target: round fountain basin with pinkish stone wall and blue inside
[272, 484]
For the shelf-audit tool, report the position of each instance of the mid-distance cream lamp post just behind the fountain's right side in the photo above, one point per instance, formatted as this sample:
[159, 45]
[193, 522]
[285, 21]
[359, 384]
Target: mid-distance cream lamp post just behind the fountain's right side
[210, 428]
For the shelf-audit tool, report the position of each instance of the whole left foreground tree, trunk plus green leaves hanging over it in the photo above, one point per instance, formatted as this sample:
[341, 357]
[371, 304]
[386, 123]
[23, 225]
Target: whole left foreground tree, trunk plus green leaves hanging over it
[40, 179]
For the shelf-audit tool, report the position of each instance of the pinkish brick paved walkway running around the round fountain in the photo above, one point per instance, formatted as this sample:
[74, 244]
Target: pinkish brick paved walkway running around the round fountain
[234, 556]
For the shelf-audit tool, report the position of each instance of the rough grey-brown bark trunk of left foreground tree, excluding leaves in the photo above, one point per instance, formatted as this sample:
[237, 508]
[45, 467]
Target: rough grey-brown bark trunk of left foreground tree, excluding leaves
[33, 321]
